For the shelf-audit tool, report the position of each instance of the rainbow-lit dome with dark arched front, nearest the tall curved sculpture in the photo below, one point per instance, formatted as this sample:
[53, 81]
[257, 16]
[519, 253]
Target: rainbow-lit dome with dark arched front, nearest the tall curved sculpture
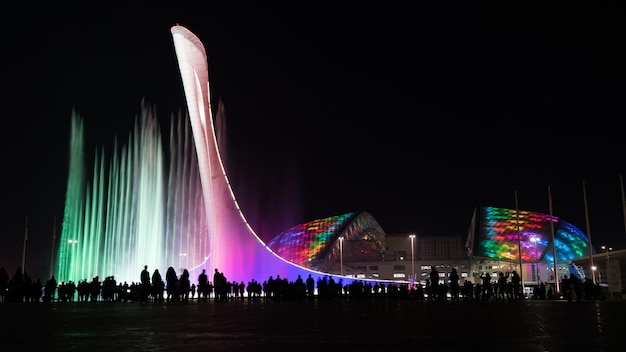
[316, 244]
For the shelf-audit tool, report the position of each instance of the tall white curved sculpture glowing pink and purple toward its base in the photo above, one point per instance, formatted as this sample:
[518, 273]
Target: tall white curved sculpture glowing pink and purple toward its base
[235, 249]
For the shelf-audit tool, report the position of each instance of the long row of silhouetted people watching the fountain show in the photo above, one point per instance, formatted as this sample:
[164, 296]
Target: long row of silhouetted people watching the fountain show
[152, 288]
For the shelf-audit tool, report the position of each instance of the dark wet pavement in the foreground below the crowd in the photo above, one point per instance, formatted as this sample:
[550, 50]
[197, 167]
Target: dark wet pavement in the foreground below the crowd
[341, 325]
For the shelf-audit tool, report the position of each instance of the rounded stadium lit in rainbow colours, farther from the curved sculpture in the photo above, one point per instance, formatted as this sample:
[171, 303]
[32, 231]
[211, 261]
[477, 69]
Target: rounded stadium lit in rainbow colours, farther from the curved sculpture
[498, 237]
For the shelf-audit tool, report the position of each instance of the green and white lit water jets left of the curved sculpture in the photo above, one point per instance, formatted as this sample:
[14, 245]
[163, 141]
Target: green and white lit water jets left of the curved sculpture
[143, 207]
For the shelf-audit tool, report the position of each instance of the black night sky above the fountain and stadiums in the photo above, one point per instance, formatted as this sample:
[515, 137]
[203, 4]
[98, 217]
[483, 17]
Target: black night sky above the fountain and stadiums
[416, 113]
